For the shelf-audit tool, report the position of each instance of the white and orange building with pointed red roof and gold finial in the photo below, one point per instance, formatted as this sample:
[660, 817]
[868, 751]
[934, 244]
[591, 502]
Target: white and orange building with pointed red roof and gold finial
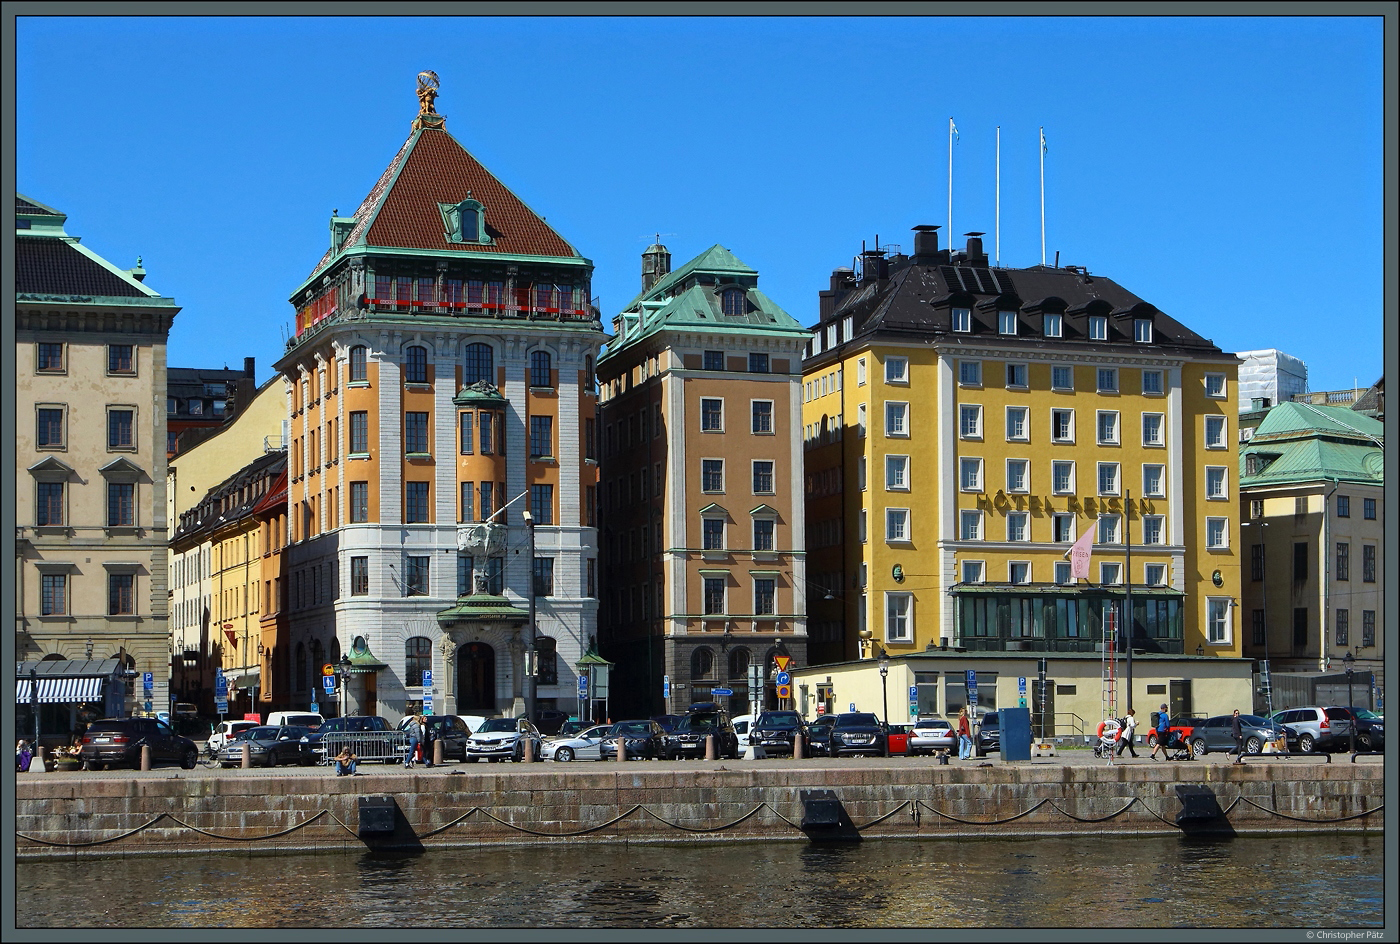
[442, 464]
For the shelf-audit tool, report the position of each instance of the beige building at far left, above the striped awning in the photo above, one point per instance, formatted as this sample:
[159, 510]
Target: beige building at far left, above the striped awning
[90, 447]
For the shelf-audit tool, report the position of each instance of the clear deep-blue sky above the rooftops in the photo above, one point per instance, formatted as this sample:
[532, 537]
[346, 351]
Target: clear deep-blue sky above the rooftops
[1227, 170]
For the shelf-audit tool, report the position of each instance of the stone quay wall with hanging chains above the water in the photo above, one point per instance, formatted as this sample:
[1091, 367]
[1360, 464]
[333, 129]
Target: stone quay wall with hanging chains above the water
[171, 812]
